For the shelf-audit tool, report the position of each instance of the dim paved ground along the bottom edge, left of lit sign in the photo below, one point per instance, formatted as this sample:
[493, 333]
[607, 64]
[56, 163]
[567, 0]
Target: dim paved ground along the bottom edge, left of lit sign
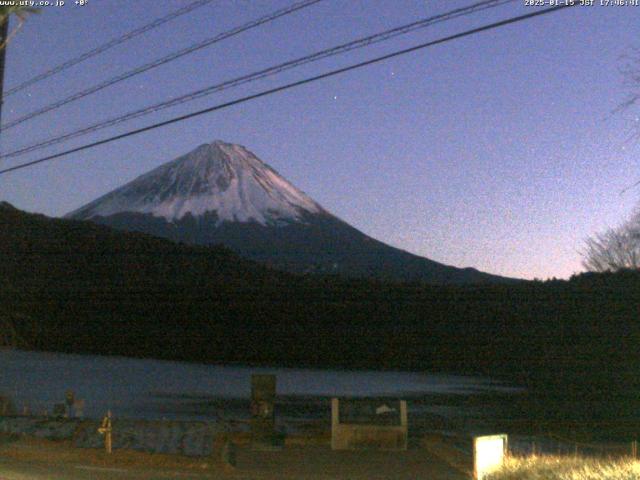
[308, 462]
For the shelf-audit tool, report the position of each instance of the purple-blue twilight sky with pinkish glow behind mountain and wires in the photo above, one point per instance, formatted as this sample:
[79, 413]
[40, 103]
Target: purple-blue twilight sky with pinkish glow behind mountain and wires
[498, 151]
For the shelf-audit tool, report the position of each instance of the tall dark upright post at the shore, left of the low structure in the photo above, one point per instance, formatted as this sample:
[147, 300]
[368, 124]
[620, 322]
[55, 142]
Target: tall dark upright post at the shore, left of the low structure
[263, 396]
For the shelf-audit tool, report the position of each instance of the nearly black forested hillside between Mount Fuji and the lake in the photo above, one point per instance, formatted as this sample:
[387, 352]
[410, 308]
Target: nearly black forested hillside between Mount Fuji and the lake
[80, 287]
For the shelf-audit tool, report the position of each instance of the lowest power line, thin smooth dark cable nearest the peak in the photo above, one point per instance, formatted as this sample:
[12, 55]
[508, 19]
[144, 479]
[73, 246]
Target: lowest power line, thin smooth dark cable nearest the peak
[288, 86]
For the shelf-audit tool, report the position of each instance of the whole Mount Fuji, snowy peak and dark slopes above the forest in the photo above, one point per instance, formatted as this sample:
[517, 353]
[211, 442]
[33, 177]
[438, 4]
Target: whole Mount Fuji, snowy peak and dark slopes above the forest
[221, 193]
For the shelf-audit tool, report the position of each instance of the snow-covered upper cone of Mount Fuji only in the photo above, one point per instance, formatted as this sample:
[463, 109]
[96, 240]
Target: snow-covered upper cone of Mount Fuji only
[217, 178]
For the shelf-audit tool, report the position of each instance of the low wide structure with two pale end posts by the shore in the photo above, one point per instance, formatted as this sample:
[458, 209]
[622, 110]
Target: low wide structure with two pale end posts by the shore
[365, 423]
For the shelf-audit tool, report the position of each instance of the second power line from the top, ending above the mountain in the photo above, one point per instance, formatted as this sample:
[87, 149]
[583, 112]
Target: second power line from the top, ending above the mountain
[161, 61]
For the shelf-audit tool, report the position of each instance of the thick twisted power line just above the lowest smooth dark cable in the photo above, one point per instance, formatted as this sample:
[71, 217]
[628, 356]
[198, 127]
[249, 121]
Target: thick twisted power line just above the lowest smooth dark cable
[261, 74]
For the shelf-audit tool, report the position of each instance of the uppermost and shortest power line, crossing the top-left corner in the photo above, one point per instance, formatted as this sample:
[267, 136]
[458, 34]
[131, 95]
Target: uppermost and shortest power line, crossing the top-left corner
[110, 44]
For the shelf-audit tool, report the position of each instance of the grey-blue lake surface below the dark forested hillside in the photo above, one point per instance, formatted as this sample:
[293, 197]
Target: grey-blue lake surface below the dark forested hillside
[163, 389]
